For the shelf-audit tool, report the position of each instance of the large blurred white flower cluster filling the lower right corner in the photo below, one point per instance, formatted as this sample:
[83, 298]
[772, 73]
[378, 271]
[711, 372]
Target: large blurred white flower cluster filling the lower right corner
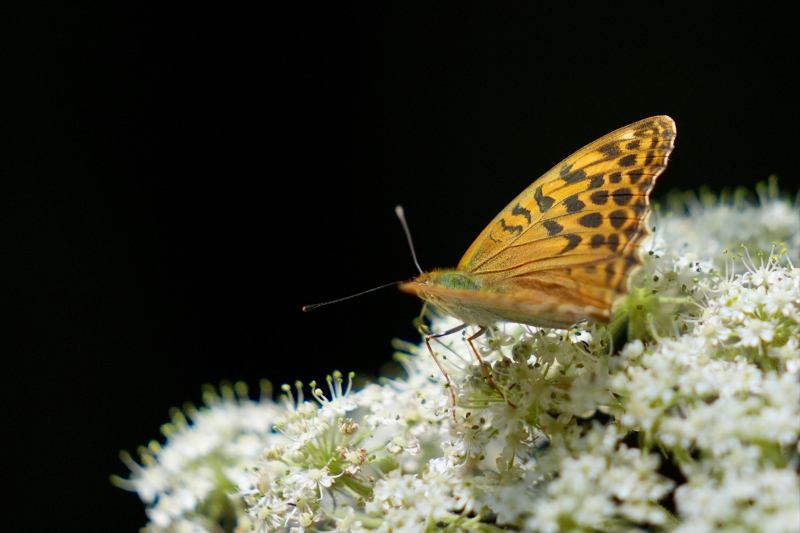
[724, 402]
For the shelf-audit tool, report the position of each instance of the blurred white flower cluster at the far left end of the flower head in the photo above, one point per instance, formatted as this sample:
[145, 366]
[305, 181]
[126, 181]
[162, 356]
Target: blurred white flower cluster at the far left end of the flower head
[186, 484]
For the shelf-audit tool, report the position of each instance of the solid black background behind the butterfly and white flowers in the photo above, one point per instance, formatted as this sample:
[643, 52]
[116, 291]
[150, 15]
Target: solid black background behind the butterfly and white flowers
[178, 182]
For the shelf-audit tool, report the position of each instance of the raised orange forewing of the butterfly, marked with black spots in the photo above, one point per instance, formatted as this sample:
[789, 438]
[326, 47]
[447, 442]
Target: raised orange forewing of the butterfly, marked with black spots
[599, 191]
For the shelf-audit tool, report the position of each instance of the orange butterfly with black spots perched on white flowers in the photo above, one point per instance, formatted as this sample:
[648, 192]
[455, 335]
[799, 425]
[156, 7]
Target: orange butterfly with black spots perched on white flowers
[563, 251]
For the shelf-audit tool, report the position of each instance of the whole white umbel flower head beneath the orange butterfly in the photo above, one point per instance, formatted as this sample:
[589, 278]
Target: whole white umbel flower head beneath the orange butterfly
[688, 421]
